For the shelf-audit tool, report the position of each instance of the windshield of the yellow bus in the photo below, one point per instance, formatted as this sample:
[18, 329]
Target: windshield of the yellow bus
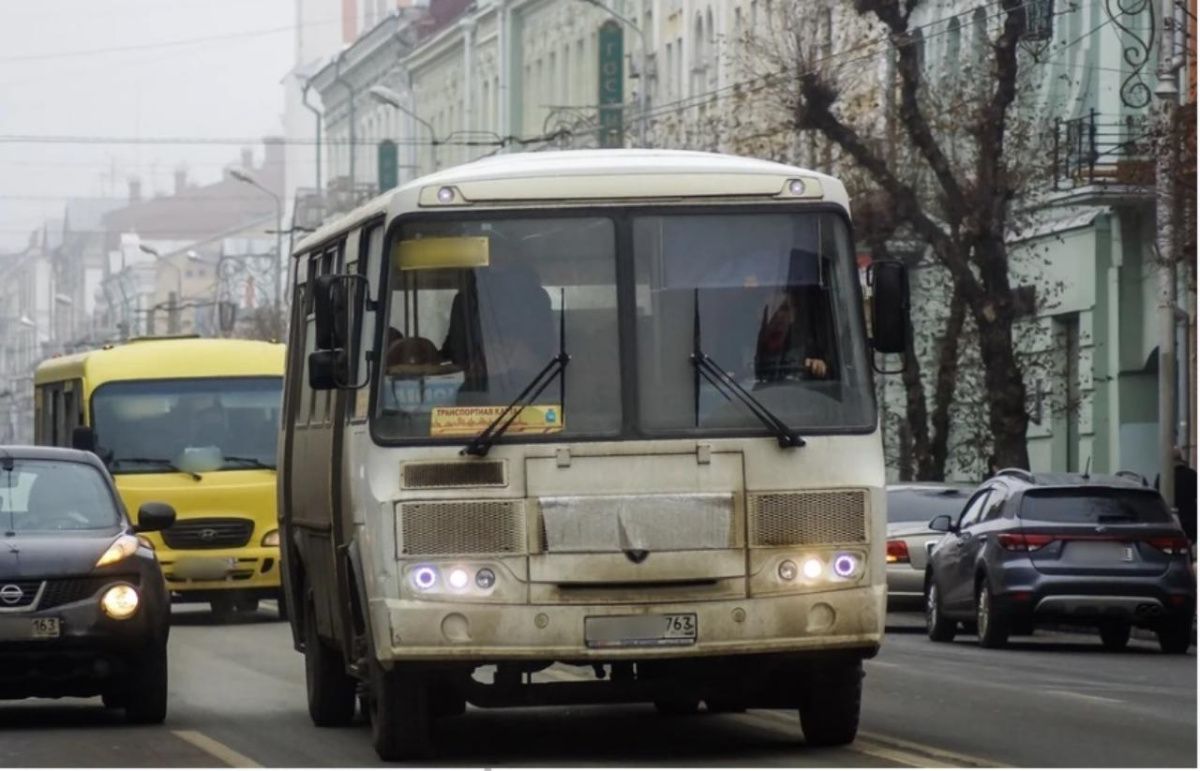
[193, 426]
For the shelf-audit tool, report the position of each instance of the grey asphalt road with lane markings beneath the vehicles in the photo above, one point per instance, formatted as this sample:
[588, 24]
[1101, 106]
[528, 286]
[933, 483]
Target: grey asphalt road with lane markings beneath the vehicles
[238, 700]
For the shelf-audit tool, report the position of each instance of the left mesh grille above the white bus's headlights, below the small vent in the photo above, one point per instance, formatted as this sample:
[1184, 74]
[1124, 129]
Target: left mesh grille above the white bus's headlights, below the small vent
[461, 528]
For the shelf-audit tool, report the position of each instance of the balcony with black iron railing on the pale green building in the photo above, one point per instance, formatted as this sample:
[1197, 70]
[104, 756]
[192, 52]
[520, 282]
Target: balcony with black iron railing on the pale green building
[1107, 159]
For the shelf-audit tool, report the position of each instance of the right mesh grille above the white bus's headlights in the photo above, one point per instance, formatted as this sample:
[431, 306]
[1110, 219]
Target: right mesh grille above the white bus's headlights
[809, 518]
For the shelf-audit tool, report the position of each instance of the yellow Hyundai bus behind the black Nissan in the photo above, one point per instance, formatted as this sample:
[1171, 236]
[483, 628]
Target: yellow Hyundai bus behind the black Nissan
[193, 422]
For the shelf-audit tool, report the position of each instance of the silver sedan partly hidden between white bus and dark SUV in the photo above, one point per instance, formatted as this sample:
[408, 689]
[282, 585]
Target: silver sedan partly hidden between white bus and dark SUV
[910, 510]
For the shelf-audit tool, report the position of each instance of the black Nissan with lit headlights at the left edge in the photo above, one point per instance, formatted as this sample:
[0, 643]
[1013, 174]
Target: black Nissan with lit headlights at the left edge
[85, 608]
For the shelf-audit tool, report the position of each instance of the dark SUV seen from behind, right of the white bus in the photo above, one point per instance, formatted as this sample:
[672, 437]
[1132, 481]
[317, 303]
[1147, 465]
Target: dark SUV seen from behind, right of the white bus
[1094, 551]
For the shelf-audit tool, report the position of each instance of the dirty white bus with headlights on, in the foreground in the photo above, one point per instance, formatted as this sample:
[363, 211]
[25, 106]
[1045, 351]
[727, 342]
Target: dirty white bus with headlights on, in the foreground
[599, 410]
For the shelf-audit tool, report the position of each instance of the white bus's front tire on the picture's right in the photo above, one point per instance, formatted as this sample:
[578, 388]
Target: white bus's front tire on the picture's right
[831, 704]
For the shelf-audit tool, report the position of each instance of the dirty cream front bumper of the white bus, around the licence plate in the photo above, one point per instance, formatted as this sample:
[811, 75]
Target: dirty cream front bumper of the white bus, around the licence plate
[481, 632]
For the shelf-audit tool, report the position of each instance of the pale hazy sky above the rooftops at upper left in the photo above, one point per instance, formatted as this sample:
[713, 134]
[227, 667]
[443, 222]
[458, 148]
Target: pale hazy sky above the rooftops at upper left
[131, 69]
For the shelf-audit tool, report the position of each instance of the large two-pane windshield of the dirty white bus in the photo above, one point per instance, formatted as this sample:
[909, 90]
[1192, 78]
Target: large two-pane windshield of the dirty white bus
[478, 309]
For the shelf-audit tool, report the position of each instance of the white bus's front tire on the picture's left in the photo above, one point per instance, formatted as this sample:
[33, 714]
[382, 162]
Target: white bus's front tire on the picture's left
[401, 714]
